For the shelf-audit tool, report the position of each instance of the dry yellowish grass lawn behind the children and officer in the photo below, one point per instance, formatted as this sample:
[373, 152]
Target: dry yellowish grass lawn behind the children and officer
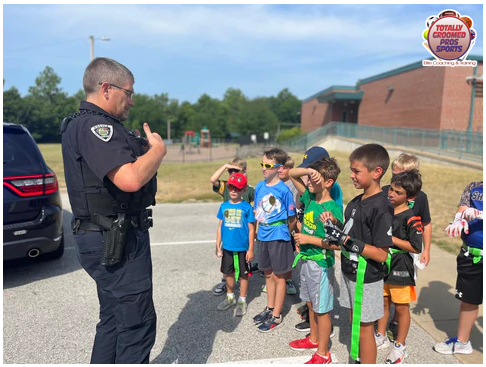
[190, 182]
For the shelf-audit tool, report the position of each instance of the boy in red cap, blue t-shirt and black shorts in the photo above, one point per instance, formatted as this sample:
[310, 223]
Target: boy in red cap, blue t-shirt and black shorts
[234, 242]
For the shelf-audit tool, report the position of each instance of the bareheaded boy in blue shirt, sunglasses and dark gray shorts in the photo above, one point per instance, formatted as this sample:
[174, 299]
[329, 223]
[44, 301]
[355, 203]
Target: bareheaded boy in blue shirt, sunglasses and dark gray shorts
[275, 213]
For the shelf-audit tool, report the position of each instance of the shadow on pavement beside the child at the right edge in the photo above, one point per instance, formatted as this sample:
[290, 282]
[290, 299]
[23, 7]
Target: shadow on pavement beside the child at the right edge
[442, 306]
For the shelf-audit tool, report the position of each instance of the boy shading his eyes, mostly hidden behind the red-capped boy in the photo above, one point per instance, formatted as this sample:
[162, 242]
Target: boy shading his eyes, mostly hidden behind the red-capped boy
[220, 187]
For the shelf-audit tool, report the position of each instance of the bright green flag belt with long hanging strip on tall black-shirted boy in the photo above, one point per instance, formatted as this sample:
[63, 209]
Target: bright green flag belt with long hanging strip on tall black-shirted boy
[358, 299]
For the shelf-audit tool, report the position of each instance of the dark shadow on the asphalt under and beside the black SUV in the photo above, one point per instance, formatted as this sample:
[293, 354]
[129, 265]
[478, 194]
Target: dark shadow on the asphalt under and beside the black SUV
[24, 271]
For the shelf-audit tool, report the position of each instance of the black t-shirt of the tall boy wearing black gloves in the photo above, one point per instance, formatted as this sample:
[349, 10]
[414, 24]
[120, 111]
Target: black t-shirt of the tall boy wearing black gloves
[370, 221]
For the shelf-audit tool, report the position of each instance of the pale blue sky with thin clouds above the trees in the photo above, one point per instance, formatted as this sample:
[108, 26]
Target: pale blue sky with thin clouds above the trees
[188, 50]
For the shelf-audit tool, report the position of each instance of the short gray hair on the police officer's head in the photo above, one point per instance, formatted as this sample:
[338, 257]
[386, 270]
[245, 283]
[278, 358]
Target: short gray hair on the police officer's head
[103, 69]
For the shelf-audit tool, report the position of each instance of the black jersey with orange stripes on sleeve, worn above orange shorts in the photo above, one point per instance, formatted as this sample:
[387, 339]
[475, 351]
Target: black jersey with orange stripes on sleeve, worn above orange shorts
[406, 226]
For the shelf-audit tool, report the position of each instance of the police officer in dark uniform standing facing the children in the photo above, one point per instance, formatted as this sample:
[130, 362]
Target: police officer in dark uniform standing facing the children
[111, 180]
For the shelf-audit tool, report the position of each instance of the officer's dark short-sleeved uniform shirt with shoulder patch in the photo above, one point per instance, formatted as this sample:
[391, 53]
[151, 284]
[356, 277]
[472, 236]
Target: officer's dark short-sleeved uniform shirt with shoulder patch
[81, 142]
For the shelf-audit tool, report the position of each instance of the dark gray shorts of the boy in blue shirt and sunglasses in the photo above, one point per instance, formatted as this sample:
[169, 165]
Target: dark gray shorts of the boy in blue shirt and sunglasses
[277, 256]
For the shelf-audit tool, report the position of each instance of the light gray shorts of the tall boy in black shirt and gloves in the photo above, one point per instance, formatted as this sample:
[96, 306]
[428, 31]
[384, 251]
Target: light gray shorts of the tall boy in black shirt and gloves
[372, 305]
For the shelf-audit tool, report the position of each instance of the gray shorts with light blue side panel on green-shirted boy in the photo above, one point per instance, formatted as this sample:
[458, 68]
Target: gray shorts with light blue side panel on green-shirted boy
[315, 287]
